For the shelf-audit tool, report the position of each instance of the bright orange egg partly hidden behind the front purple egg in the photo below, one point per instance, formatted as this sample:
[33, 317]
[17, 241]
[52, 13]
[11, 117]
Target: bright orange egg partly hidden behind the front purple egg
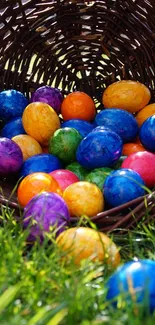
[34, 184]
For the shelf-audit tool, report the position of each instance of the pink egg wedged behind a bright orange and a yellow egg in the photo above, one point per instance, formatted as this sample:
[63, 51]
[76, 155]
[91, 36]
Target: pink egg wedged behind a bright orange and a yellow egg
[64, 178]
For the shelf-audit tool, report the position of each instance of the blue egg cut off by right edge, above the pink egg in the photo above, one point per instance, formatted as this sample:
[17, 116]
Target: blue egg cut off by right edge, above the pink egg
[147, 134]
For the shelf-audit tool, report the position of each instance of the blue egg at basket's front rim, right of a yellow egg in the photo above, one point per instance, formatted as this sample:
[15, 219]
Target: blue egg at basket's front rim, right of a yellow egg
[122, 186]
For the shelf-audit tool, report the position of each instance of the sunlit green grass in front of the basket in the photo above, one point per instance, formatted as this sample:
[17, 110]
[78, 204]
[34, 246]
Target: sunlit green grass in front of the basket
[36, 288]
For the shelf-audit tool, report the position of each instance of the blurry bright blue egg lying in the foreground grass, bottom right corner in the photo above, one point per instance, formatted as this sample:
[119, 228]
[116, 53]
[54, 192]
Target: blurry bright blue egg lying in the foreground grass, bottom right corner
[135, 282]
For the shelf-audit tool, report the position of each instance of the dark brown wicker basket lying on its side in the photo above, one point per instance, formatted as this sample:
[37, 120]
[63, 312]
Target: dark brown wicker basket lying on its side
[79, 45]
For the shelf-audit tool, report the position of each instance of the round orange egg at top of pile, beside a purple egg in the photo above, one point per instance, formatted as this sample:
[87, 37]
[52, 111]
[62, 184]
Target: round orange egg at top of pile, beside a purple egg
[78, 105]
